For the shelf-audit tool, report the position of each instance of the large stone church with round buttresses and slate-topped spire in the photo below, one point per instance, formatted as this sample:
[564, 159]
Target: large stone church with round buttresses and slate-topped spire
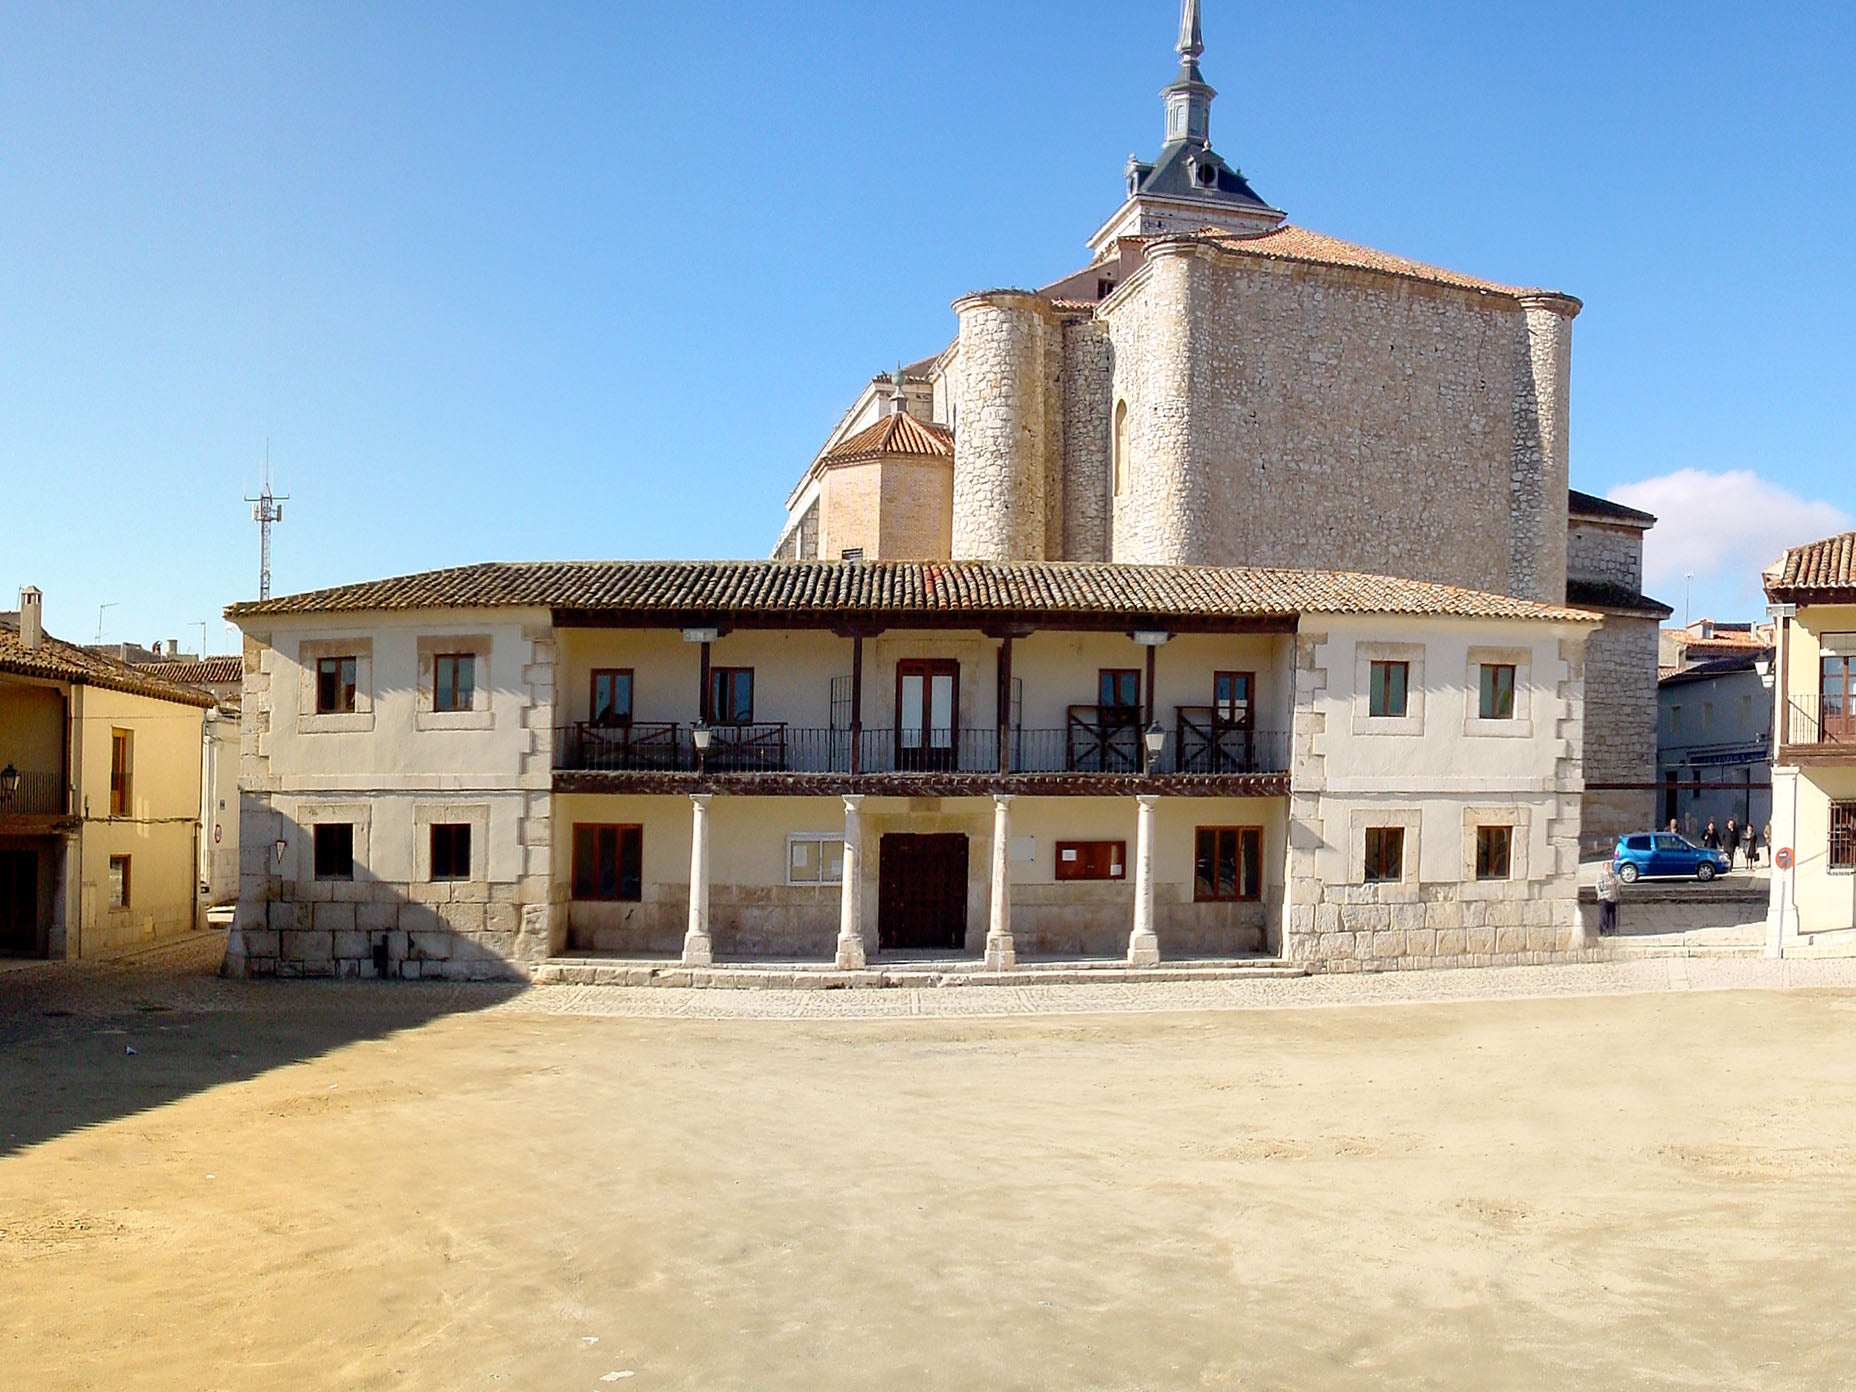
[1218, 387]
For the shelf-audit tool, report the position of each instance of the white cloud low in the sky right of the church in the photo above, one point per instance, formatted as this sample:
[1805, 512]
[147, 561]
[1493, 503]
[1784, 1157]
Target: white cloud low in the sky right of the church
[1723, 528]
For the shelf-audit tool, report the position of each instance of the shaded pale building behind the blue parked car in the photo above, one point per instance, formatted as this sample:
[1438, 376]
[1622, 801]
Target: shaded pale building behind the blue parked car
[1716, 745]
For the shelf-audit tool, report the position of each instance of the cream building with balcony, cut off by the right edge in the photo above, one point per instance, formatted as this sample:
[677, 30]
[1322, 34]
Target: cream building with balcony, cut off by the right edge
[1812, 593]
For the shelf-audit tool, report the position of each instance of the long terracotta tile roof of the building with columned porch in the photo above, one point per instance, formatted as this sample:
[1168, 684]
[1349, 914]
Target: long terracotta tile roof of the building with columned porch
[771, 589]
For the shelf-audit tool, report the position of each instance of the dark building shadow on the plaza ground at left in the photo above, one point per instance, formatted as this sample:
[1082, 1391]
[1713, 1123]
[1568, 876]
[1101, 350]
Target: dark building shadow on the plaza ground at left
[84, 1046]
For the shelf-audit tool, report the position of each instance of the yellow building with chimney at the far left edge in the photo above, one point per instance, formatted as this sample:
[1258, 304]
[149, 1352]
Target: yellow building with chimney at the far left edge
[99, 797]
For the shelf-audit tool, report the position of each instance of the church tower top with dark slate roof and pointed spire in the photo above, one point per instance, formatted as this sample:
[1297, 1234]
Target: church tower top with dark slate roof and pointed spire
[1189, 187]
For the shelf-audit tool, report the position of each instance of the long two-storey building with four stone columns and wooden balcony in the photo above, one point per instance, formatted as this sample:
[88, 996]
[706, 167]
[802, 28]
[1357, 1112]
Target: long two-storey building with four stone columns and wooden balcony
[467, 773]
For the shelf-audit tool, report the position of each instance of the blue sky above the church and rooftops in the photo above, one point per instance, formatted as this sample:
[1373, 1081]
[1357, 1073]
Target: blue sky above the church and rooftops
[500, 283]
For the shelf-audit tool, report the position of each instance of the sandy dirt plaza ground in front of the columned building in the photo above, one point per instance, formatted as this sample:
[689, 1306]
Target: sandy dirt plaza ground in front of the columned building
[404, 1187]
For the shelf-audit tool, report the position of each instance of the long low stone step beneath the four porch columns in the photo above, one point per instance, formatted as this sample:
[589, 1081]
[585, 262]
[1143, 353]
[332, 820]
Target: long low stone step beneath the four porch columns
[910, 975]
